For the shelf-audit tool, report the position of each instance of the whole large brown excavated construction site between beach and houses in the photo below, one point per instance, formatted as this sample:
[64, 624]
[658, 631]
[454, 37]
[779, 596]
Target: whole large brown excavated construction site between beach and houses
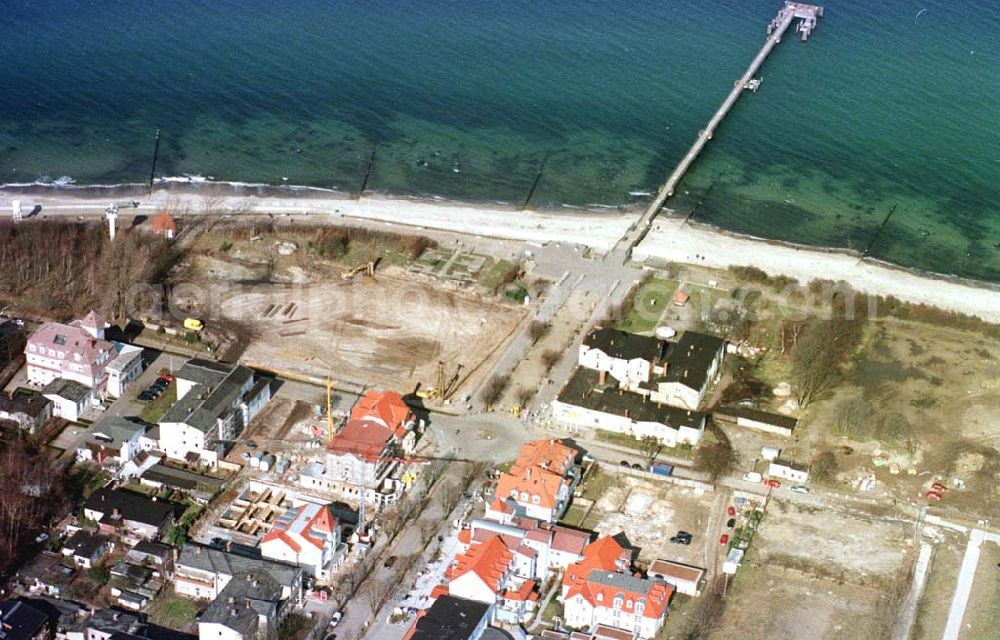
[362, 317]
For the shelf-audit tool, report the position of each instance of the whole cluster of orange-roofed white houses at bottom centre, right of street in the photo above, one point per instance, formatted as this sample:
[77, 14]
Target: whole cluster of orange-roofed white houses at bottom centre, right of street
[505, 557]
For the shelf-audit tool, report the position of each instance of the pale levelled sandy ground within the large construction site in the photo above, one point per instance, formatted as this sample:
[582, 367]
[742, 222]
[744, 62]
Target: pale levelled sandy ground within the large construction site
[386, 332]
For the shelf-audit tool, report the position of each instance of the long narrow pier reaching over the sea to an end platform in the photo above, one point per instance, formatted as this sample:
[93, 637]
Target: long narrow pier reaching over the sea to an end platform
[808, 15]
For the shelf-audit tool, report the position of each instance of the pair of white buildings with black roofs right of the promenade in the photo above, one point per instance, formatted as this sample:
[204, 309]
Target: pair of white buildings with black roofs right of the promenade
[641, 386]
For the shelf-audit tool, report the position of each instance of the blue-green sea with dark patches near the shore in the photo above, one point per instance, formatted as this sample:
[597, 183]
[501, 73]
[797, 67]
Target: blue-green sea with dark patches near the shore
[881, 133]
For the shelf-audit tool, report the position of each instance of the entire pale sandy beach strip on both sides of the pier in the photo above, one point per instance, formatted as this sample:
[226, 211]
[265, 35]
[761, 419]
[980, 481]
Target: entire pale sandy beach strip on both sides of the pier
[668, 240]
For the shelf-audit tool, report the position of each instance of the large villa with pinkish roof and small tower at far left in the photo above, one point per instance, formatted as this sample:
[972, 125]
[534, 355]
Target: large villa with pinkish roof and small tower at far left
[75, 351]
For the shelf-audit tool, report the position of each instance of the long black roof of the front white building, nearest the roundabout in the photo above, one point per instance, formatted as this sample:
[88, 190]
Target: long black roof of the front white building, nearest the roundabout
[583, 390]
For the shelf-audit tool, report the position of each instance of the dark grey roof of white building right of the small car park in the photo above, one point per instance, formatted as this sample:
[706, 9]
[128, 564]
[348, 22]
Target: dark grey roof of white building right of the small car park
[218, 386]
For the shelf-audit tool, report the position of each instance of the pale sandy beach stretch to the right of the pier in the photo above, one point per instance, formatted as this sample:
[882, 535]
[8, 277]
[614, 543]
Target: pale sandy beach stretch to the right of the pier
[670, 240]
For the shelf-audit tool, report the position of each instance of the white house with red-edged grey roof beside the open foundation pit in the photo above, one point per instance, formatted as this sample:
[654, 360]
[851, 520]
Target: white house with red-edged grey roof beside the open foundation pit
[307, 536]
